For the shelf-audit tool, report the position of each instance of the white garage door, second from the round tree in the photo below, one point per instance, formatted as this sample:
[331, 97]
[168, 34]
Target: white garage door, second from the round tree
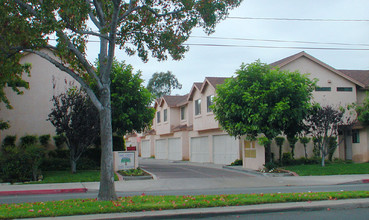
[200, 149]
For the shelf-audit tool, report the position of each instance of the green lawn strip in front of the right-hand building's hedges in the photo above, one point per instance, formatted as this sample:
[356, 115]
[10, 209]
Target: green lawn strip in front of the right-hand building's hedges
[330, 169]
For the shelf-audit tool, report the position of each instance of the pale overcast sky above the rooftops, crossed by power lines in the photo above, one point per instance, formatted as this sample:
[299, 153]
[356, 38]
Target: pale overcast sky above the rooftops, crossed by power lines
[202, 61]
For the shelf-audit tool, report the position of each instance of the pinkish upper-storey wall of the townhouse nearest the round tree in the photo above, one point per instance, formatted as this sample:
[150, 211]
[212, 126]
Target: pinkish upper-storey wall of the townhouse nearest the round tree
[205, 120]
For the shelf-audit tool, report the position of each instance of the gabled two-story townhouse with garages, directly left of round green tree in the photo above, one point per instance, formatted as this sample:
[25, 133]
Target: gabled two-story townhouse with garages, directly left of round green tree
[208, 142]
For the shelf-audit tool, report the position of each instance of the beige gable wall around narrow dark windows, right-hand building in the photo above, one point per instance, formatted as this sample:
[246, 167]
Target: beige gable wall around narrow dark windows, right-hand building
[326, 78]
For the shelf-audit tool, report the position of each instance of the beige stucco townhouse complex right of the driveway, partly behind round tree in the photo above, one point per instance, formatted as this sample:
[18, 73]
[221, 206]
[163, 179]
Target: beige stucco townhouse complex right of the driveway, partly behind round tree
[184, 127]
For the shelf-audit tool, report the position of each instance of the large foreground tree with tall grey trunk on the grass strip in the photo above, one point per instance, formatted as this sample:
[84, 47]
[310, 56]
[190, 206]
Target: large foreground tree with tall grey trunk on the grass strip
[156, 27]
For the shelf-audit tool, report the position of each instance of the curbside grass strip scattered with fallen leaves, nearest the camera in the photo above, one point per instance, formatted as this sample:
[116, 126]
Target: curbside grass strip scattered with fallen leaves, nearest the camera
[152, 203]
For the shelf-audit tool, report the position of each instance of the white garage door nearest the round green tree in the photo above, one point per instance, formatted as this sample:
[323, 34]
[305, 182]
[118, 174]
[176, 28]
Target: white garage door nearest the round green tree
[226, 149]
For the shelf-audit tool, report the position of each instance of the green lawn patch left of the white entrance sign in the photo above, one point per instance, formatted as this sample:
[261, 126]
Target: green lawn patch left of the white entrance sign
[68, 177]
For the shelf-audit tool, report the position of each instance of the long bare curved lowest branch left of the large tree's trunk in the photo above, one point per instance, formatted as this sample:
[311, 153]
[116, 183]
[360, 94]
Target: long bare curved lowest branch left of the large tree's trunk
[63, 68]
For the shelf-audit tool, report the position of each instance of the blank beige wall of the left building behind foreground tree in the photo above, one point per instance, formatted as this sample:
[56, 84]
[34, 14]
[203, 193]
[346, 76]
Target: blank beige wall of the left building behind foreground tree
[28, 117]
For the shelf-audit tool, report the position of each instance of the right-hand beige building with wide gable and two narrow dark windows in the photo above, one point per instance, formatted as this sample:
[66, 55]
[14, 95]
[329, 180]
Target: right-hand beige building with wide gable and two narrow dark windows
[335, 88]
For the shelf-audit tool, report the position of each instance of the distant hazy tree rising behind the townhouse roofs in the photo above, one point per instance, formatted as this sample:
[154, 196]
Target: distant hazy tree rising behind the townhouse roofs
[162, 84]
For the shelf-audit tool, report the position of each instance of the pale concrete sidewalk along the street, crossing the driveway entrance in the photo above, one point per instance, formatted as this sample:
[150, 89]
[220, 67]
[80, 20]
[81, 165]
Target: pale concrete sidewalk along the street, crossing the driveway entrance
[155, 184]
